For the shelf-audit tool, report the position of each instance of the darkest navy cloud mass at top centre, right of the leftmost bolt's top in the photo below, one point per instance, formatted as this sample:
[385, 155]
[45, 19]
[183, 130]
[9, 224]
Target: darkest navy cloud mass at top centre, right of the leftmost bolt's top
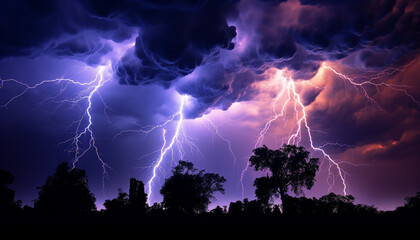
[174, 38]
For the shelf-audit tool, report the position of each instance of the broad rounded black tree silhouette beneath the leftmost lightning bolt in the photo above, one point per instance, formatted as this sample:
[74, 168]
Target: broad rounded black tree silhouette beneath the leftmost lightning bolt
[65, 192]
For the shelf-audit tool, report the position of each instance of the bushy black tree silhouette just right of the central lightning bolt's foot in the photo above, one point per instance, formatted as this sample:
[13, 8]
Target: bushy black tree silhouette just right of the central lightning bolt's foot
[189, 192]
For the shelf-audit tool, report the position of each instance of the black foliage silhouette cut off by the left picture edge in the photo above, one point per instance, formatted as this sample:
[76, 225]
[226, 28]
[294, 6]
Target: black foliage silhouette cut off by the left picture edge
[8, 205]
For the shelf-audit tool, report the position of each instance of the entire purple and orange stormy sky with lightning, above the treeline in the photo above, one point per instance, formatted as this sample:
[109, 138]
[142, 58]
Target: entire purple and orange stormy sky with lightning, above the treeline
[100, 84]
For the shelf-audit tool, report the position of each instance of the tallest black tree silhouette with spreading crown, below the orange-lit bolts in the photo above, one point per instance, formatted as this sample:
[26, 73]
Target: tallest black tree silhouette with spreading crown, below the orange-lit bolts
[290, 166]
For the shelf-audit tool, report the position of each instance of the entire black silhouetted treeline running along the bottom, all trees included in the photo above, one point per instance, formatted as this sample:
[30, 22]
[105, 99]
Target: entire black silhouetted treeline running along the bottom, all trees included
[66, 198]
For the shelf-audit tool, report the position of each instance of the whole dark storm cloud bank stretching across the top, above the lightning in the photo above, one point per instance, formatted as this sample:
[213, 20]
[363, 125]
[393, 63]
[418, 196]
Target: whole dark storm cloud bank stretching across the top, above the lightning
[176, 38]
